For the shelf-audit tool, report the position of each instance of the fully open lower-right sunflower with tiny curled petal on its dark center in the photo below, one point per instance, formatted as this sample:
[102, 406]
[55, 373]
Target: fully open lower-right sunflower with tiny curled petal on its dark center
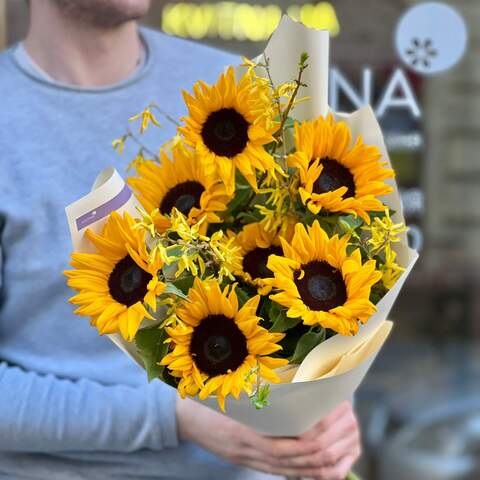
[320, 283]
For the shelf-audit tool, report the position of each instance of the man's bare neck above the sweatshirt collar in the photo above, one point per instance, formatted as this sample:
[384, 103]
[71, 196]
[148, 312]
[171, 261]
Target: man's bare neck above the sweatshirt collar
[79, 54]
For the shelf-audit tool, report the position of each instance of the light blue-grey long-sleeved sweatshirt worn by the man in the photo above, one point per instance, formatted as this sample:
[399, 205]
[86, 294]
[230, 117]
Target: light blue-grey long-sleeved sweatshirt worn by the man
[72, 406]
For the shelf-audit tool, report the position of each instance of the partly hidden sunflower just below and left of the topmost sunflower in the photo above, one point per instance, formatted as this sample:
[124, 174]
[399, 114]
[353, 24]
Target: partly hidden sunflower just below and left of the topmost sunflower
[182, 184]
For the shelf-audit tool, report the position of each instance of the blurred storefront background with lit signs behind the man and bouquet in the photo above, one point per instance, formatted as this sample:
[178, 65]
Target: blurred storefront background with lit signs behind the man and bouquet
[420, 70]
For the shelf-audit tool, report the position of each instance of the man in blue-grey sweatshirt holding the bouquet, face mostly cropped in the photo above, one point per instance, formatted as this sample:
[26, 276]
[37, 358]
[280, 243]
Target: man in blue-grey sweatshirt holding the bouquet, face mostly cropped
[72, 406]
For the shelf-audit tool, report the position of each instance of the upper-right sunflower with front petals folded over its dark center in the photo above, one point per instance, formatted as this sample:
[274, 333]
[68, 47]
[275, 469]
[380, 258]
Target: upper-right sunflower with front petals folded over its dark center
[336, 176]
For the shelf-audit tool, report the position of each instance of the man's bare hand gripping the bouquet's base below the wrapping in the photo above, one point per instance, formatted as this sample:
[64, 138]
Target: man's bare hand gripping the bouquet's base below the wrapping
[326, 452]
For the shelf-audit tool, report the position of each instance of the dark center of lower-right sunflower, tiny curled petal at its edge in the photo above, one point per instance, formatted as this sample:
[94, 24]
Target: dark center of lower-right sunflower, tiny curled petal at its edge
[322, 287]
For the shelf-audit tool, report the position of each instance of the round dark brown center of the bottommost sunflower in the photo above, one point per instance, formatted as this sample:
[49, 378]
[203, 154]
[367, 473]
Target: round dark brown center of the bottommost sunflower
[218, 345]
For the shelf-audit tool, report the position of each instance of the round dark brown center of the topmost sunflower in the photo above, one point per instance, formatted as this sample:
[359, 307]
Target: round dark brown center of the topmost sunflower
[225, 132]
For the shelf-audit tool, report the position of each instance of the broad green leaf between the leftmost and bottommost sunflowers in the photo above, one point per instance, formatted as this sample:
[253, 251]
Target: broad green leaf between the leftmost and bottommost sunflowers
[152, 348]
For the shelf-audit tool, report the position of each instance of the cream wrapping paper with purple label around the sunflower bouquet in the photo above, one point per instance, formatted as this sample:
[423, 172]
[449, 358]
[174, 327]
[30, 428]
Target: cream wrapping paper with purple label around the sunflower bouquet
[333, 370]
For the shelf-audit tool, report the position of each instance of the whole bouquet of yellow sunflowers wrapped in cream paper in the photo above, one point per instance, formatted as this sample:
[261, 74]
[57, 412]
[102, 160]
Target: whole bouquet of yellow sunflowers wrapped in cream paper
[258, 256]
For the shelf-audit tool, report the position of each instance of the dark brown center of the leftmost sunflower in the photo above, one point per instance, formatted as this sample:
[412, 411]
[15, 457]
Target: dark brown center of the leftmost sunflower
[128, 282]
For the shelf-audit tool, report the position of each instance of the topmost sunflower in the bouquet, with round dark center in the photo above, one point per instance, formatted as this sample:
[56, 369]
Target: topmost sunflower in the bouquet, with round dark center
[228, 126]
